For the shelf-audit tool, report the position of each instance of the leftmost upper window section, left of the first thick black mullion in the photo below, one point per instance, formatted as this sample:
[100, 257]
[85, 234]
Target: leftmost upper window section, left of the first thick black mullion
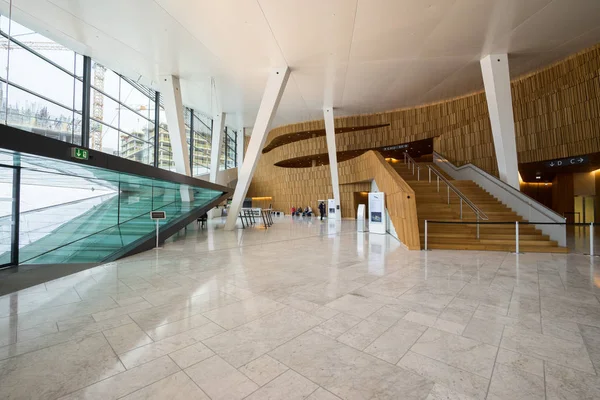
[41, 84]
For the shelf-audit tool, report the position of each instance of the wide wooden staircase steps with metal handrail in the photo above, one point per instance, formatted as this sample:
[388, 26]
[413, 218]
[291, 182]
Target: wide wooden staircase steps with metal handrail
[433, 206]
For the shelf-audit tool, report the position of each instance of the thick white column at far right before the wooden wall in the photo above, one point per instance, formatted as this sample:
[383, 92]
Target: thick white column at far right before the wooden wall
[496, 79]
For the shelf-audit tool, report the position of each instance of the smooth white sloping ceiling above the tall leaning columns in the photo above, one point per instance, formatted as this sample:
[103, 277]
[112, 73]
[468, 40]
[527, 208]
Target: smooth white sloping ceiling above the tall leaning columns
[358, 56]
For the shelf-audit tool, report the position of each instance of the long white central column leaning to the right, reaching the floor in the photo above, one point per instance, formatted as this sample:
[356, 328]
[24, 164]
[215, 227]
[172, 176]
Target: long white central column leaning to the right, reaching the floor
[274, 89]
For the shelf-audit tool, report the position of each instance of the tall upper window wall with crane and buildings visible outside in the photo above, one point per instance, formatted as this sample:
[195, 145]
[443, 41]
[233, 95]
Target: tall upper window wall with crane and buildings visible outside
[42, 90]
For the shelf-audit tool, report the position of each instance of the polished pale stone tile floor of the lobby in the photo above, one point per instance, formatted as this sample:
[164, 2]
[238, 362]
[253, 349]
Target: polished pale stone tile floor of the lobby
[307, 310]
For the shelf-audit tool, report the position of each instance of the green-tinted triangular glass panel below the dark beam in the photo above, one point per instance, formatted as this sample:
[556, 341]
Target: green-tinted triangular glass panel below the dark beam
[72, 213]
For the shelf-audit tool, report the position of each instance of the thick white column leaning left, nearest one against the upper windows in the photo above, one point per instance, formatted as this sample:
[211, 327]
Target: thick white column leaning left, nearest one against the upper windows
[171, 94]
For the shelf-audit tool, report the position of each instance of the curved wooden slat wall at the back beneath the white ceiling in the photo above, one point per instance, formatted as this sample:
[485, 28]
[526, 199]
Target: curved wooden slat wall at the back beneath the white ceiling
[557, 114]
